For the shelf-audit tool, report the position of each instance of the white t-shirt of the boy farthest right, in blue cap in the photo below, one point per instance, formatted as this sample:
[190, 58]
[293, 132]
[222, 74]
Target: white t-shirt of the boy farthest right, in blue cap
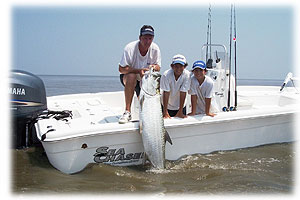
[205, 90]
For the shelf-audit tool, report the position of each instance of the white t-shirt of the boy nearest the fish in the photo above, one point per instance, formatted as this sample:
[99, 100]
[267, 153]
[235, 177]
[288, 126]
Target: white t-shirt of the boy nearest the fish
[169, 84]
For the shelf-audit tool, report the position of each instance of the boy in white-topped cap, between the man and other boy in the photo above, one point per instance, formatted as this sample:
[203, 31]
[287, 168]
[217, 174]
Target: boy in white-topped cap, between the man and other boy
[175, 83]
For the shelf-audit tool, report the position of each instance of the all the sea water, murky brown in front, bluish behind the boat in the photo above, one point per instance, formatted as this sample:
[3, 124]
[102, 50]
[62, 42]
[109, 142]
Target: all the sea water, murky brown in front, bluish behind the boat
[266, 169]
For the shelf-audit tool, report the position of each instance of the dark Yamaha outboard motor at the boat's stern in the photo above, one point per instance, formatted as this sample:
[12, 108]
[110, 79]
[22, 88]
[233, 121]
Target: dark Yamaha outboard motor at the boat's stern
[28, 100]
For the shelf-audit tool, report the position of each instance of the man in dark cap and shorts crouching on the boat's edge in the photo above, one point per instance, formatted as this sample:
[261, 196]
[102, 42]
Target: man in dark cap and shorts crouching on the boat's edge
[138, 57]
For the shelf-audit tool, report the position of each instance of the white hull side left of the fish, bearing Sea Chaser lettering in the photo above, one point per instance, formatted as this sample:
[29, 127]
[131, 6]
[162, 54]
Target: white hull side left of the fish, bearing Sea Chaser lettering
[73, 155]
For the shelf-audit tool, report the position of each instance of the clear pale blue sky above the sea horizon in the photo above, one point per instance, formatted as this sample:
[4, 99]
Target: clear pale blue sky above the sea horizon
[86, 40]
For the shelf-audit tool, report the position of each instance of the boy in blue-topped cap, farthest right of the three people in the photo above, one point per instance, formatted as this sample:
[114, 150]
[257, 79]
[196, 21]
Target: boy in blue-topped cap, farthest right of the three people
[201, 90]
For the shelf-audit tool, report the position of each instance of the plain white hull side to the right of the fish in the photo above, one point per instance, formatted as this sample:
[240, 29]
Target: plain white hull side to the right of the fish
[230, 134]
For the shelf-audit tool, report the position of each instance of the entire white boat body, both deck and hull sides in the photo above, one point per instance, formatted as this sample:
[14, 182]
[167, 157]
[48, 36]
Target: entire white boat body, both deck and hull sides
[89, 138]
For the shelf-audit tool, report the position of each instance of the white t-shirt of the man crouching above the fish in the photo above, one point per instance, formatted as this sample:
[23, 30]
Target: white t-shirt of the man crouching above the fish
[133, 58]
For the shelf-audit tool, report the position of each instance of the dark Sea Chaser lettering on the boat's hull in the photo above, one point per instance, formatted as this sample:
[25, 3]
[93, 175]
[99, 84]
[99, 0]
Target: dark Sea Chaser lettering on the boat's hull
[117, 156]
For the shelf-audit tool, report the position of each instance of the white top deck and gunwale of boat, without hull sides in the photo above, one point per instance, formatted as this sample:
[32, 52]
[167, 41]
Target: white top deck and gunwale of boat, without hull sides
[99, 113]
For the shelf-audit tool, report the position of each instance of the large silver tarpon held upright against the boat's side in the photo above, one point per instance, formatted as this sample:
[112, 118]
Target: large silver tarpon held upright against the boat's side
[152, 128]
